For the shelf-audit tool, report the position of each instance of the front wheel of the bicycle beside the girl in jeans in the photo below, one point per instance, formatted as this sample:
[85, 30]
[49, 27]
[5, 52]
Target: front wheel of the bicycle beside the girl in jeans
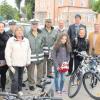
[74, 83]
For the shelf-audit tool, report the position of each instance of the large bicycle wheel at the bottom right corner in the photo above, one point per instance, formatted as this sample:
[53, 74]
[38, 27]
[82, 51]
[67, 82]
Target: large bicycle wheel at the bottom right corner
[92, 85]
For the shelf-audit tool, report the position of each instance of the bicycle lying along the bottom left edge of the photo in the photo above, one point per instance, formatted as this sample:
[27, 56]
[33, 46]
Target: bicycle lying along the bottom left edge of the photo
[10, 96]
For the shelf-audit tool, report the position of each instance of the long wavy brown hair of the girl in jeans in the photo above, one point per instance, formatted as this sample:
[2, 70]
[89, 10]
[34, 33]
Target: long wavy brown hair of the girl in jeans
[67, 44]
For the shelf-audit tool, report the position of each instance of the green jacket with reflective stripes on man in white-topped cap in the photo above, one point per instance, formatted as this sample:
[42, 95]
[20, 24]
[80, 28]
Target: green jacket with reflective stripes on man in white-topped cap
[36, 44]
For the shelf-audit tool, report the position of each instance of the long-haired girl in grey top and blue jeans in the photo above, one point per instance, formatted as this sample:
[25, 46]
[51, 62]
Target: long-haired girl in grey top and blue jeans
[61, 54]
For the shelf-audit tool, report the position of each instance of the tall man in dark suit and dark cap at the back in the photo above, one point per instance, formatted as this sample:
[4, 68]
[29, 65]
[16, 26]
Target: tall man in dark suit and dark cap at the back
[73, 31]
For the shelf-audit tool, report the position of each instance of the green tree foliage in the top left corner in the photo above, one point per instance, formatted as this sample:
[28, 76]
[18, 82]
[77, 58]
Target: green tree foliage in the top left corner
[7, 12]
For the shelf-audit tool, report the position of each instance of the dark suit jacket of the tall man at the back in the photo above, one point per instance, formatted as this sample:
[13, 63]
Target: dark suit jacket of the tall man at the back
[72, 31]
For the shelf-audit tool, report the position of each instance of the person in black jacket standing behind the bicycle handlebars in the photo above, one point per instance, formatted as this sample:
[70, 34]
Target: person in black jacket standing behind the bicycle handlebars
[79, 44]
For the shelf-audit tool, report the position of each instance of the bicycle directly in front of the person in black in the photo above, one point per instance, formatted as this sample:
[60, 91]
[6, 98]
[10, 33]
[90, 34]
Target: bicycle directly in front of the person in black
[76, 77]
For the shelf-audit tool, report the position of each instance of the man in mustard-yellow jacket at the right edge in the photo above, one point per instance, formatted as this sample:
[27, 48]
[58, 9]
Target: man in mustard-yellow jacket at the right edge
[94, 40]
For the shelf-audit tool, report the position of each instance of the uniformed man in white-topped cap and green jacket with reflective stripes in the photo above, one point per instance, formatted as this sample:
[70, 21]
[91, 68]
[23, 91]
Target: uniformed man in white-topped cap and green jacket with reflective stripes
[36, 40]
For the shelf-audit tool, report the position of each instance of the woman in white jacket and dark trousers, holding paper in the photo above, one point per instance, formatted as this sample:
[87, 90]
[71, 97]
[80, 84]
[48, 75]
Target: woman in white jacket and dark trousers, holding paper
[17, 54]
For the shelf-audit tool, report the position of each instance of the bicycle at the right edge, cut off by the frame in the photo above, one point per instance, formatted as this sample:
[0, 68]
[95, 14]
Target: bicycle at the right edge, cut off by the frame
[91, 79]
